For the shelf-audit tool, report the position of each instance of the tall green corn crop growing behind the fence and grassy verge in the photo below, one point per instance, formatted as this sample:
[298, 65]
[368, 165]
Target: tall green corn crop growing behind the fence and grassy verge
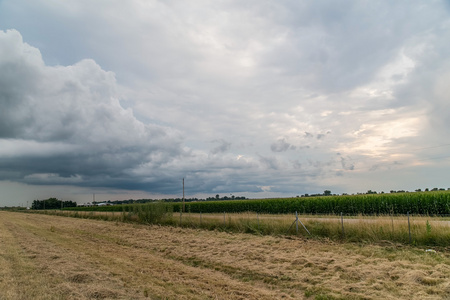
[423, 203]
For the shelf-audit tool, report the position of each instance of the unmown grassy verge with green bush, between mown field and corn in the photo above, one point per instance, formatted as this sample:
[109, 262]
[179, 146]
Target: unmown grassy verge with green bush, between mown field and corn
[419, 230]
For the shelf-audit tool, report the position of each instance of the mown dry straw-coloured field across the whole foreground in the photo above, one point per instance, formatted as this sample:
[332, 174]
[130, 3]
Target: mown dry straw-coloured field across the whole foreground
[53, 257]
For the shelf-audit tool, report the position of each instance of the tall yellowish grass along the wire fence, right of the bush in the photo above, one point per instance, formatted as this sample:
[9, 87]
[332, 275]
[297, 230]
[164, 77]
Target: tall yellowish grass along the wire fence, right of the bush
[424, 230]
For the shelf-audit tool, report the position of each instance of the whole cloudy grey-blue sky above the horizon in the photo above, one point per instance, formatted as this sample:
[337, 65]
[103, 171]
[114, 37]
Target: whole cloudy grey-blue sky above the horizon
[124, 99]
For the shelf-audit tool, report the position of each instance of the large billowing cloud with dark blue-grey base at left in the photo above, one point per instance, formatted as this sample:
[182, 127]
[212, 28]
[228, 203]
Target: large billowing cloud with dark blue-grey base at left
[75, 107]
